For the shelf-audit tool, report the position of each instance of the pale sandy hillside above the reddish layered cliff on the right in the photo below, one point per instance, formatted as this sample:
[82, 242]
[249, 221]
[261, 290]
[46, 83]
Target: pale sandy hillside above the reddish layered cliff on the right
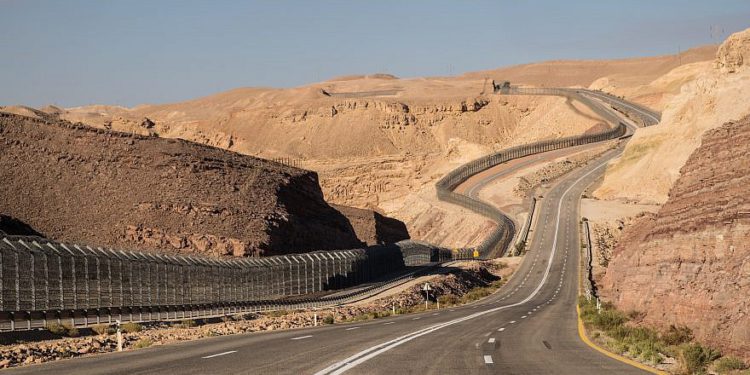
[708, 95]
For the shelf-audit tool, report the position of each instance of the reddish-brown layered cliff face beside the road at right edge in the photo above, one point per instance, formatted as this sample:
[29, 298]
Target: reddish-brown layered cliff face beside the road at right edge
[690, 263]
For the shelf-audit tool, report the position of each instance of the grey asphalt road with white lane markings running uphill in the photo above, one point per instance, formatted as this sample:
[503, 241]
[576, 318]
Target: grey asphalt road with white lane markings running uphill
[529, 327]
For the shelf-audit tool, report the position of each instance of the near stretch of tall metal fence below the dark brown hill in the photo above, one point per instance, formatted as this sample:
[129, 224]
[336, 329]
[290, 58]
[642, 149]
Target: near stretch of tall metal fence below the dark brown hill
[42, 280]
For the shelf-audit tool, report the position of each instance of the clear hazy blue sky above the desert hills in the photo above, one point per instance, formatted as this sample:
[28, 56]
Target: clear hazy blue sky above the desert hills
[77, 52]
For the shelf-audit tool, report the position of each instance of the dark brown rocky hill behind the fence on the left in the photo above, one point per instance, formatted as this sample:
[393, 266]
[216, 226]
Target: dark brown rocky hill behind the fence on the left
[74, 183]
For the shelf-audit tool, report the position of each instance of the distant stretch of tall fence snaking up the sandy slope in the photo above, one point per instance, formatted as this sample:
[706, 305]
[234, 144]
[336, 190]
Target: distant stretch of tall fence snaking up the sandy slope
[498, 241]
